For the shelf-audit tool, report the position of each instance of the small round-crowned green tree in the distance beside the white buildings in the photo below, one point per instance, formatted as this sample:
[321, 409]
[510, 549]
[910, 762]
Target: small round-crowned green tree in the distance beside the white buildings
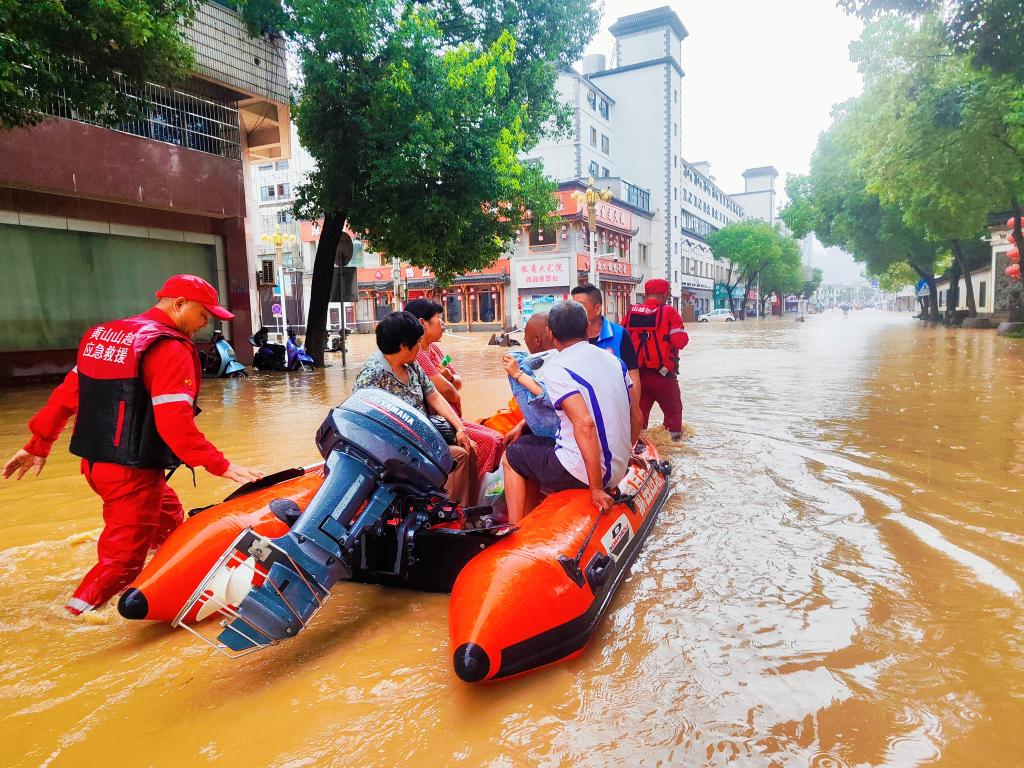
[757, 251]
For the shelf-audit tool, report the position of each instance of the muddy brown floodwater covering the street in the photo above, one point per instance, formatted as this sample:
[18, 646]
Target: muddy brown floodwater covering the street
[836, 582]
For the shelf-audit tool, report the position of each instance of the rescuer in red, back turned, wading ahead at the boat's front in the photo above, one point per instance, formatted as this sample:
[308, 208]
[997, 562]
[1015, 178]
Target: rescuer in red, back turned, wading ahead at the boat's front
[659, 335]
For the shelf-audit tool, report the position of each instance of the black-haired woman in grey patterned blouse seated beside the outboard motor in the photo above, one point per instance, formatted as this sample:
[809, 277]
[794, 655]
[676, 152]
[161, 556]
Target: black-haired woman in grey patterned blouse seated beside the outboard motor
[394, 369]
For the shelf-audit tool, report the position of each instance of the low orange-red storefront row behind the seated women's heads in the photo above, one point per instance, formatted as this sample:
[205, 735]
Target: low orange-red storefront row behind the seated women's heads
[476, 302]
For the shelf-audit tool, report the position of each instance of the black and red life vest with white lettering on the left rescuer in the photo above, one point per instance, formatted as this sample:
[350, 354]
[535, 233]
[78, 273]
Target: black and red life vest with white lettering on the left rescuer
[116, 422]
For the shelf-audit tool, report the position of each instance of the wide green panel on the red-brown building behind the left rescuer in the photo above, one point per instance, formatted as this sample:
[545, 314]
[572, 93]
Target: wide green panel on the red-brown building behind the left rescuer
[58, 283]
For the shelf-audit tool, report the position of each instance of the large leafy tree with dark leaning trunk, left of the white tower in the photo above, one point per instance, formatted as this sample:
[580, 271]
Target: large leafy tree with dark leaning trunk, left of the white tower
[417, 114]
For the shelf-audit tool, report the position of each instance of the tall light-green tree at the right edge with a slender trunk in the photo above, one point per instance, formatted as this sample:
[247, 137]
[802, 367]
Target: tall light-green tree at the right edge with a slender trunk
[940, 146]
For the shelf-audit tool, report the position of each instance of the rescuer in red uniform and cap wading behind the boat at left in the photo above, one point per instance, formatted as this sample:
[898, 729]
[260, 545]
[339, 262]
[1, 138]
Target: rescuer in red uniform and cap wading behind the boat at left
[135, 391]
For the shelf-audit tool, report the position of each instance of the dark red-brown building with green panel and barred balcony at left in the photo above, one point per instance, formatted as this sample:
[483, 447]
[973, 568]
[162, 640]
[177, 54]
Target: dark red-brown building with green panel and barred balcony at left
[94, 220]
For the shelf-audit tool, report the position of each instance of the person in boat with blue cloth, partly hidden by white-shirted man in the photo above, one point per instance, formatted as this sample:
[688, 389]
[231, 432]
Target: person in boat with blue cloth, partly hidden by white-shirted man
[527, 372]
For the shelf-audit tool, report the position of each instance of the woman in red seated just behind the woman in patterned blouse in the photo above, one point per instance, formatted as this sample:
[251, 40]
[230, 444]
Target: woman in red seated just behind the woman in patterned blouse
[446, 379]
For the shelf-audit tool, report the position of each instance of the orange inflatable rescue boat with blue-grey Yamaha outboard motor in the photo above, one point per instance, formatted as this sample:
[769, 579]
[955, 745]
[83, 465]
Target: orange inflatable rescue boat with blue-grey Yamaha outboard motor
[265, 561]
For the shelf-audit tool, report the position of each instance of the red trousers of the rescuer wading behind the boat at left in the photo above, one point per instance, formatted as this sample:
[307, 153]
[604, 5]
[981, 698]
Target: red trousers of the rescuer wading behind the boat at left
[141, 510]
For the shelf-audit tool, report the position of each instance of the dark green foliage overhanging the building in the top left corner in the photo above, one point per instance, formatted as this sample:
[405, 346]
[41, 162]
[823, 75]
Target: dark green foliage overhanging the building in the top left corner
[86, 54]
